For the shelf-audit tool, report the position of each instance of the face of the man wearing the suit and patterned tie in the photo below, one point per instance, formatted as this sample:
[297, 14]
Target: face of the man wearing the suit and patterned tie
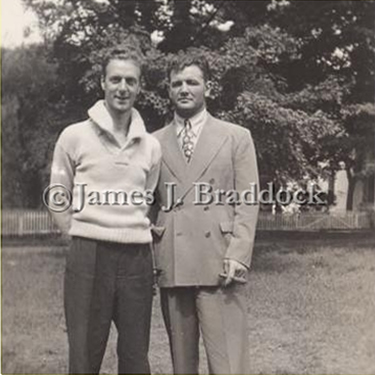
[187, 90]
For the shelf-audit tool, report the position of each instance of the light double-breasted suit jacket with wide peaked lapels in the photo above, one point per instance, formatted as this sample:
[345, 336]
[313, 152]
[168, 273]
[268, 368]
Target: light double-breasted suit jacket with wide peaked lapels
[192, 238]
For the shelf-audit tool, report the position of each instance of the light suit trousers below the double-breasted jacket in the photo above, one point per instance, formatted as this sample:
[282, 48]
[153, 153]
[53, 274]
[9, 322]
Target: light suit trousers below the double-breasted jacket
[220, 313]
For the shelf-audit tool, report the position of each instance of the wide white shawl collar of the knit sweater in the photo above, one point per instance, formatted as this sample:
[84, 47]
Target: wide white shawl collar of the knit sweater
[101, 117]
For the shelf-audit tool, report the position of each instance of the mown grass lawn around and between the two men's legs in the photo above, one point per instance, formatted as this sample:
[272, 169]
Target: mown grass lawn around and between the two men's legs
[311, 310]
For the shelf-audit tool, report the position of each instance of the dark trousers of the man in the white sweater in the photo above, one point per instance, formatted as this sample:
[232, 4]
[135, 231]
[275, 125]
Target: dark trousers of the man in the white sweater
[107, 281]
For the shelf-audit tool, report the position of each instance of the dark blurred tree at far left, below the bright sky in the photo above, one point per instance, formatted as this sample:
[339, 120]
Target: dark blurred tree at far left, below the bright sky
[31, 112]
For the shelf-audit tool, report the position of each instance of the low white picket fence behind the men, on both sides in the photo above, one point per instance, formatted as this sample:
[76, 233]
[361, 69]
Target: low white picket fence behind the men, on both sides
[18, 223]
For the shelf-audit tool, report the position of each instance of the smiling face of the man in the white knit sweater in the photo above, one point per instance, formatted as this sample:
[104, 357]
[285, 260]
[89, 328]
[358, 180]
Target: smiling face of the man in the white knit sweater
[121, 85]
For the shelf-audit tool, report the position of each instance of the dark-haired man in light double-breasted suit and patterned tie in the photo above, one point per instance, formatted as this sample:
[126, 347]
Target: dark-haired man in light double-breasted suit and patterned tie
[203, 240]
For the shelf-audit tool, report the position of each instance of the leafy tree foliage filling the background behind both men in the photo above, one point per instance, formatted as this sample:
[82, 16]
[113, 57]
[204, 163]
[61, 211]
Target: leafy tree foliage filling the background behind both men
[298, 74]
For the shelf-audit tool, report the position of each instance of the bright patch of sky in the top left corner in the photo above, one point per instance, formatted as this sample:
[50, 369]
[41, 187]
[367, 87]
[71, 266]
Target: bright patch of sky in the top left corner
[14, 20]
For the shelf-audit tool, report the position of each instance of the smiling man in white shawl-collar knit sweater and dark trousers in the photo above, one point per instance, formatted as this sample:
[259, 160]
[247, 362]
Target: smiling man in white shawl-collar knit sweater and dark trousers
[103, 175]
